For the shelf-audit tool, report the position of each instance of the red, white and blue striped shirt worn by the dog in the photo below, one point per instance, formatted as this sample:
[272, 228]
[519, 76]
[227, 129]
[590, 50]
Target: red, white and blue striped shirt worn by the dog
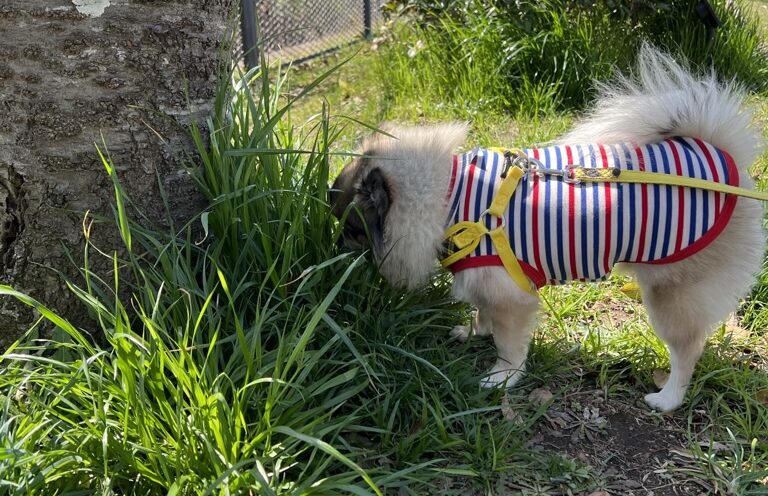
[561, 231]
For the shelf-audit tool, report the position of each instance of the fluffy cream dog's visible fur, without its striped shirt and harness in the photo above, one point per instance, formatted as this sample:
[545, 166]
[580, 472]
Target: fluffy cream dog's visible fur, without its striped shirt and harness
[399, 189]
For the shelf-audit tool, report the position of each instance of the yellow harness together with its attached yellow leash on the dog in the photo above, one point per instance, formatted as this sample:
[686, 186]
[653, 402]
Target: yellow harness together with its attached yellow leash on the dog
[465, 236]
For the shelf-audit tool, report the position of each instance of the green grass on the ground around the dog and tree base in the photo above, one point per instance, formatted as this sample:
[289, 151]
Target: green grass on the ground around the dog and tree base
[243, 354]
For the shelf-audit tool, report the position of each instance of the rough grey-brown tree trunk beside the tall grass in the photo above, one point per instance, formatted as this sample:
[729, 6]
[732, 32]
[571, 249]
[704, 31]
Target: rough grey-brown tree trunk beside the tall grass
[72, 71]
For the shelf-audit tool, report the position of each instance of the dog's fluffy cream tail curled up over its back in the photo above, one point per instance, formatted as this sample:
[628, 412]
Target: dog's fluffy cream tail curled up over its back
[665, 99]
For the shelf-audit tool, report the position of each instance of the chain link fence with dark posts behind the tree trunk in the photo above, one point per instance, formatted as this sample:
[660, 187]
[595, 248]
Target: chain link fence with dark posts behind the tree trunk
[297, 30]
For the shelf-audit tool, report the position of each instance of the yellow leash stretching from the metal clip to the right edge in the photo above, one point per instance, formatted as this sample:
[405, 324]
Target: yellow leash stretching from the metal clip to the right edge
[613, 175]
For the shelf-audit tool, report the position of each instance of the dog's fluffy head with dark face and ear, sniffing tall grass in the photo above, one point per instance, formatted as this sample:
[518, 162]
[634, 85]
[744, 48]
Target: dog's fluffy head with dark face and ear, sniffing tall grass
[393, 195]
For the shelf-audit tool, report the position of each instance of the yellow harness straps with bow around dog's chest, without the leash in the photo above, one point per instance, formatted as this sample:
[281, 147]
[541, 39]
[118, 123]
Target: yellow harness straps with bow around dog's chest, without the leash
[467, 235]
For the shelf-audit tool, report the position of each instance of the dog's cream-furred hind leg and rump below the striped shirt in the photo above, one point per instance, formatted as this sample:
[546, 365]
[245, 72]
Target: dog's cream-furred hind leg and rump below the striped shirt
[687, 299]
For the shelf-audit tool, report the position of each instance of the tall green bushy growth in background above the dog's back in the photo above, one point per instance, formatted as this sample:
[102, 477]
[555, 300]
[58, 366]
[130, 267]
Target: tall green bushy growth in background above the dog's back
[537, 56]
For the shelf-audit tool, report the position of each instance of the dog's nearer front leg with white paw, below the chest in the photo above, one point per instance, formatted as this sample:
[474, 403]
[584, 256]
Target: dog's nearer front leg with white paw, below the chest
[512, 328]
